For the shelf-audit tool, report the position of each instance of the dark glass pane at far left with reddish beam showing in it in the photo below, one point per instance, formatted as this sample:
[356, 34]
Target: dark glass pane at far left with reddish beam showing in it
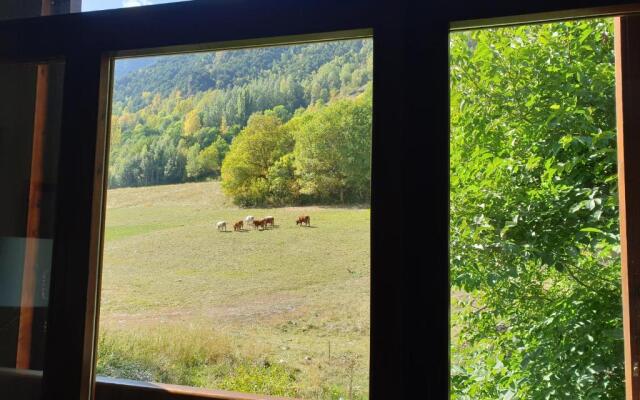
[30, 102]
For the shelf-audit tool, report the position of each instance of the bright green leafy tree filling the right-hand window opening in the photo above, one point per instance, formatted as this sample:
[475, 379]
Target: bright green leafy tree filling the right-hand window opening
[534, 221]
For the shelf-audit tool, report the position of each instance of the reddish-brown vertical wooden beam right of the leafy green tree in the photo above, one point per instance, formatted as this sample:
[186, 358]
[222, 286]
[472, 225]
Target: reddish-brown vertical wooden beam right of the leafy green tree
[627, 51]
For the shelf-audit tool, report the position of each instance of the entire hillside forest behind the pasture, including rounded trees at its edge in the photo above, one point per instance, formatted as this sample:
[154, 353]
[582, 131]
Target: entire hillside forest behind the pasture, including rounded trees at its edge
[278, 125]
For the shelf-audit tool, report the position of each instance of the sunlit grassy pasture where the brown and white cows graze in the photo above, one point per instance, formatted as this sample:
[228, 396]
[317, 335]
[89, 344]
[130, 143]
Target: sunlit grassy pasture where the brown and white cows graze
[283, 311]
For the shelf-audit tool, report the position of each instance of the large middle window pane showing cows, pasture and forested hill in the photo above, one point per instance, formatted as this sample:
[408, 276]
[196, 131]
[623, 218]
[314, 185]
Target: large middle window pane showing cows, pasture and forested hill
[237, 251]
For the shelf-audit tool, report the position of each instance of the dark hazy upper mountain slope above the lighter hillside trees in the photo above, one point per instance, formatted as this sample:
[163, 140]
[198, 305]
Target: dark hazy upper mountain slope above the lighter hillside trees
[194, 73]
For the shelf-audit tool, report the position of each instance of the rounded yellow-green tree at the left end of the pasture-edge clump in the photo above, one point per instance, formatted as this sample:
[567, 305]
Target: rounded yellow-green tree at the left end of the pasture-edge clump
[253, 151]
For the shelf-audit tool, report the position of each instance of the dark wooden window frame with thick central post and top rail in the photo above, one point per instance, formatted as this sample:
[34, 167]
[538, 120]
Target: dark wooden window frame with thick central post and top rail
[410, 285]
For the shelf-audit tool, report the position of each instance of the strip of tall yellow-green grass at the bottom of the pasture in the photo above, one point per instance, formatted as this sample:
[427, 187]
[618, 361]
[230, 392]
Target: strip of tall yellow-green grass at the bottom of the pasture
[204, 358]
